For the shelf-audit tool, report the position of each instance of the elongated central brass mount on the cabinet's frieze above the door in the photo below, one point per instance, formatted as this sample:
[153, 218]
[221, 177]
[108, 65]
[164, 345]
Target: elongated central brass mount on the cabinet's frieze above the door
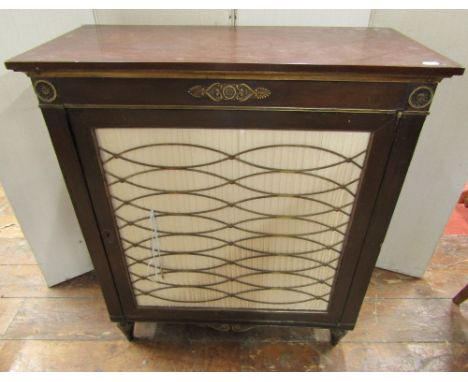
[229, 92]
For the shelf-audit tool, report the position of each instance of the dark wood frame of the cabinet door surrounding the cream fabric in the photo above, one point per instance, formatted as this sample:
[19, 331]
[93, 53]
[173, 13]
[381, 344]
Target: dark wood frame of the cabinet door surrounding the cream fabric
[381, 125]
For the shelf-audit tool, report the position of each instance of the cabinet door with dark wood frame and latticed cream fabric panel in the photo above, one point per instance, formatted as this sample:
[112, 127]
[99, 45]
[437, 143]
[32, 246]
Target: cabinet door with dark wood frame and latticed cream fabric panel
[232, 215]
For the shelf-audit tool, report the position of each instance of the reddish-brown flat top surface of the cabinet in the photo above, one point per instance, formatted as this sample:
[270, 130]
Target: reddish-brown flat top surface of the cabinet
[283, 49]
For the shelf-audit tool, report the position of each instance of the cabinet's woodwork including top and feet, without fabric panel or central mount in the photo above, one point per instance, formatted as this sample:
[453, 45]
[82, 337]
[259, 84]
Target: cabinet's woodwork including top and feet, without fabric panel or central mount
[110, 76]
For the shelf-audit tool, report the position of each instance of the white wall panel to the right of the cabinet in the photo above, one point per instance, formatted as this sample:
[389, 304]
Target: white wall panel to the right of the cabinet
[440, 163]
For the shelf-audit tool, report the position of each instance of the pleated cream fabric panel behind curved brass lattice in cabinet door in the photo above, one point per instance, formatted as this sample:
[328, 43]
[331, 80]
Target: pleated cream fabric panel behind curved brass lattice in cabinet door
[246, 218]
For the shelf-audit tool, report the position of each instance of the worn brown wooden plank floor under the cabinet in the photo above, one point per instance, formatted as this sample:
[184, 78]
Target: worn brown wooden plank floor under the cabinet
[405, 324]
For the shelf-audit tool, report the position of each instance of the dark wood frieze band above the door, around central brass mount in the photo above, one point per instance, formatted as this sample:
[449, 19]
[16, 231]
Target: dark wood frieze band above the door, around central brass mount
[160, 92]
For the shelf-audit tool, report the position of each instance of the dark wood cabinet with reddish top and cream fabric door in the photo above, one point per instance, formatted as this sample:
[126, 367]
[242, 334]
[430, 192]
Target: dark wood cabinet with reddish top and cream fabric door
[234, 175]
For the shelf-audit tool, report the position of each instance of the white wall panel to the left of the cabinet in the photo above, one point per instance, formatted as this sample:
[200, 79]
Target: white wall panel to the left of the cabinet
[29, 171]
